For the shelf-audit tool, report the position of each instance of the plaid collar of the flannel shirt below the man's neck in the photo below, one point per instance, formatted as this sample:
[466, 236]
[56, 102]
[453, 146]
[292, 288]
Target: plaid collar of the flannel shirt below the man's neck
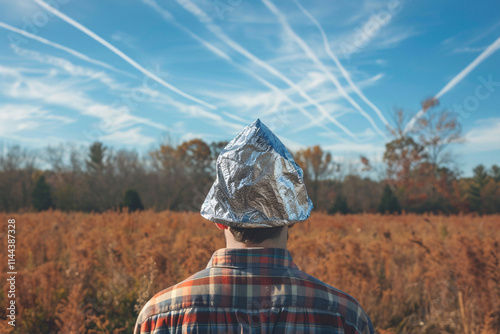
[251, 258]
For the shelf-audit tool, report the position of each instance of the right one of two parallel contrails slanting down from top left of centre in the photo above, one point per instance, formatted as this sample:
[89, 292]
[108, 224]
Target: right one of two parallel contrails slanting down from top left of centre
[207, 21]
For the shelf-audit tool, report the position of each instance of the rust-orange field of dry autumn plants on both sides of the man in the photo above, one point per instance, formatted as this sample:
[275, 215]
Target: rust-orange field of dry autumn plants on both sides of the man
[91, 273]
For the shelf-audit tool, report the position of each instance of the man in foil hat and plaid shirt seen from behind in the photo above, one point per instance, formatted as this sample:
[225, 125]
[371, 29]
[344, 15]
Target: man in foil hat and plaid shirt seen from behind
[252, 285]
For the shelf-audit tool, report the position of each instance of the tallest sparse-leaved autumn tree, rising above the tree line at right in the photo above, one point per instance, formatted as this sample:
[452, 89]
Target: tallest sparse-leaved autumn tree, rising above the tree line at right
[417, 156]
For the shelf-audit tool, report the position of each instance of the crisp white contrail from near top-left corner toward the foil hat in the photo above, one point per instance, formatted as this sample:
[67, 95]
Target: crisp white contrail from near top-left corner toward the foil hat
[121, 54]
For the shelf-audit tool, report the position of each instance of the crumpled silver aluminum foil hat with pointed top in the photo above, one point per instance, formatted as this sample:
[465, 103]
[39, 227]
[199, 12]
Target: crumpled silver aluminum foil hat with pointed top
[258, 183]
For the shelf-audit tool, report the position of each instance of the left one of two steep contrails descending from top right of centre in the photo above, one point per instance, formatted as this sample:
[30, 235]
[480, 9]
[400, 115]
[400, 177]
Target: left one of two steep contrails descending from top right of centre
[315, 59]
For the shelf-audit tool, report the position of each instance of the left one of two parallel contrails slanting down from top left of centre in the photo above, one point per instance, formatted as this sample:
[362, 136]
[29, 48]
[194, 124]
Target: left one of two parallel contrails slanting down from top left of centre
[169, 18]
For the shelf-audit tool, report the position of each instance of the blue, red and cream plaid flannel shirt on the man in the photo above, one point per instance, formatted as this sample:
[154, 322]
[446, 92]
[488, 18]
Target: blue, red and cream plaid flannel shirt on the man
[252, 290]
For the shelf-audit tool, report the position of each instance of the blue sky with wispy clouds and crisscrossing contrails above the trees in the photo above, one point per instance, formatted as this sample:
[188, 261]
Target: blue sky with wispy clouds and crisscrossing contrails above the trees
[133, 73]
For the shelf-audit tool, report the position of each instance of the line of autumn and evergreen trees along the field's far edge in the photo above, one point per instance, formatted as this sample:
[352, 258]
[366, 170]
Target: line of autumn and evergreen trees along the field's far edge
[415, 175]
